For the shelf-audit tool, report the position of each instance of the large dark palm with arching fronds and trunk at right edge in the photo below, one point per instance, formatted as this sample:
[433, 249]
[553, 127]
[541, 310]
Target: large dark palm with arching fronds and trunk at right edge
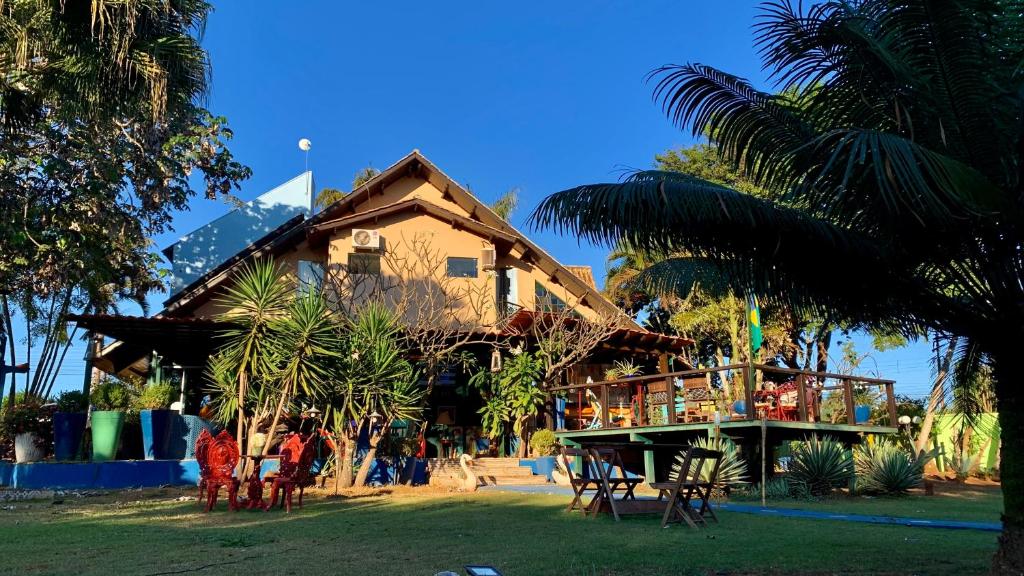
[893, 162]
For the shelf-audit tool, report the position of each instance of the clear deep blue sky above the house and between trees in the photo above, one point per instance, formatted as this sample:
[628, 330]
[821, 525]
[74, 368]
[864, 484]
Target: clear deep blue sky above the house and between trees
[497, 95]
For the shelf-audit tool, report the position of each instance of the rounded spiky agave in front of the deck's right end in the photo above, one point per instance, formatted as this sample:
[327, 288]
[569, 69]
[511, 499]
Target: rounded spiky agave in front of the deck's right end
[820, 467]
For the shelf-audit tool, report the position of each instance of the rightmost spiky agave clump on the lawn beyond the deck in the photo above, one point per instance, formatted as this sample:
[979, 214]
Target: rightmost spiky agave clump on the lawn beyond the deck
[887, 469]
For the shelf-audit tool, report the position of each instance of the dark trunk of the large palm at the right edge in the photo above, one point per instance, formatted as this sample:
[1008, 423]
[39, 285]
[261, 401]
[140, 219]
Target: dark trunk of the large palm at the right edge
[1010, 556]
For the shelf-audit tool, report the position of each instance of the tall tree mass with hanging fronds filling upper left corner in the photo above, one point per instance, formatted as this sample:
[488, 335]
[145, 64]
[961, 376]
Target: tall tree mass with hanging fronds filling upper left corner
[103, 135]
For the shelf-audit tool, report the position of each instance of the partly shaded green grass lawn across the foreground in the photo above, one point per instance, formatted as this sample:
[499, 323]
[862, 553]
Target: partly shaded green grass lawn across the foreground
[422, 531]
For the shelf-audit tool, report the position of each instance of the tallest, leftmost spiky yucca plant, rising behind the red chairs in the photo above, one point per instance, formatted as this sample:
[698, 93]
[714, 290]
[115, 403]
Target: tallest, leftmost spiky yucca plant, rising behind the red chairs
[259, 297]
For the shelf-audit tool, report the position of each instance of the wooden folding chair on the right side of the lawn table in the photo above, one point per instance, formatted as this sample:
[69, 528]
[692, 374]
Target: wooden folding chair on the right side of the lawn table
[691, 484]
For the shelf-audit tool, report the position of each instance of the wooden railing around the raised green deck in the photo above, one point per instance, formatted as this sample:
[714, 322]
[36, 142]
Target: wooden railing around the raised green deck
[736, 392]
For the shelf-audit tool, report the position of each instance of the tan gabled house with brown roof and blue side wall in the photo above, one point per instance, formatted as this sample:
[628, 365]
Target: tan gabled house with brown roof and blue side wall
[412, 225]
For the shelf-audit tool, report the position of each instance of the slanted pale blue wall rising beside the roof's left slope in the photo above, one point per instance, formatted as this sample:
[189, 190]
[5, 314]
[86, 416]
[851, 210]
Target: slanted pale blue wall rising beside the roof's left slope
[202, 251]
